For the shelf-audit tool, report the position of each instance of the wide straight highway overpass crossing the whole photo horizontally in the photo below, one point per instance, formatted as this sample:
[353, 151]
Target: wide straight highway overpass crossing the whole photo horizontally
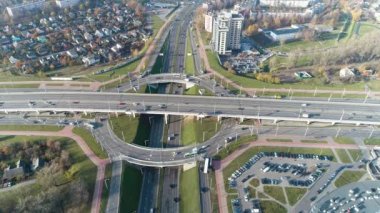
[201, 106]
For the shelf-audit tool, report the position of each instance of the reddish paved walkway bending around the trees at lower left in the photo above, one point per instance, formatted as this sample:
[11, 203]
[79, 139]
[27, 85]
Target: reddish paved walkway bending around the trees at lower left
[100, 163]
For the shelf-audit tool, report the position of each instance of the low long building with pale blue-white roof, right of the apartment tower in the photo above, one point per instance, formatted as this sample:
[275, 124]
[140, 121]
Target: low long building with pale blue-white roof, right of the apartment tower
[287, 33]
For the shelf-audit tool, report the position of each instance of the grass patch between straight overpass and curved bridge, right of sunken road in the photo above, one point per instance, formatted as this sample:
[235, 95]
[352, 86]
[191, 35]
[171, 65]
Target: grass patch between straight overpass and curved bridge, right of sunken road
[193, 129]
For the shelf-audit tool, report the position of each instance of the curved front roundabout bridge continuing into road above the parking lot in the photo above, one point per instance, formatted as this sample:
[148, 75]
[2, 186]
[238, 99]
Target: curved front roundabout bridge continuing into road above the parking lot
[158, 157]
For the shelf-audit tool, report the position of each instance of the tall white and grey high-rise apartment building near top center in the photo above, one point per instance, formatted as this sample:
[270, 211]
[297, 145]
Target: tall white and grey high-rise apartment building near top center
[226, 32]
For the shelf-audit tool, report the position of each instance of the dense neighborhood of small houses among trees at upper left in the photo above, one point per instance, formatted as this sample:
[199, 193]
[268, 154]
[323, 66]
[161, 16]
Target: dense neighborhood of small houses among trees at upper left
[72, 37]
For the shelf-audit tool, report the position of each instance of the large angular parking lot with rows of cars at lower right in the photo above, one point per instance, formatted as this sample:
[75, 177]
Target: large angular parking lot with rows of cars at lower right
[282, 170]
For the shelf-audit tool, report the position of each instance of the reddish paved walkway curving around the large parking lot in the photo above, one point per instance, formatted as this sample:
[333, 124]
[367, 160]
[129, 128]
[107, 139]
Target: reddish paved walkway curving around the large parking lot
[222, 194]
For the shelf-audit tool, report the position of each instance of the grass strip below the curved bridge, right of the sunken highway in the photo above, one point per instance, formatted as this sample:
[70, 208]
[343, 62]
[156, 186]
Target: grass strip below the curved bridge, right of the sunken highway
[189, 191]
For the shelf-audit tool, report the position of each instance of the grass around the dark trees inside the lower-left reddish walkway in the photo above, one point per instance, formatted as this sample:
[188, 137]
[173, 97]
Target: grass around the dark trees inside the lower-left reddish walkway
[82, 168]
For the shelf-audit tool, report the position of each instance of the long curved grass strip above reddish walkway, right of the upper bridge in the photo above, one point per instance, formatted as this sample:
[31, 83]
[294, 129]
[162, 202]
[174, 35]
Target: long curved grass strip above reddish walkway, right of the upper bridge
[249, 81]
